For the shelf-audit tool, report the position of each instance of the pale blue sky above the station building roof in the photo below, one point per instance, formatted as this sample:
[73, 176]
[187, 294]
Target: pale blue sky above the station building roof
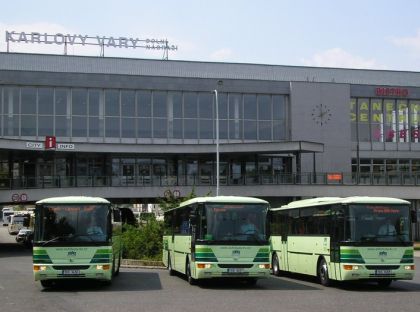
[370, 34]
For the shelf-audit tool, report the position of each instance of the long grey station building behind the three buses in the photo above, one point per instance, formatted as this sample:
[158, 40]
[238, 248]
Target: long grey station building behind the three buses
[131, 129]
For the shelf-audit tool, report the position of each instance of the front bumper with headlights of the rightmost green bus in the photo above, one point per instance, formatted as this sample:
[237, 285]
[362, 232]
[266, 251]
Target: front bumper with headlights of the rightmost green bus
[377, 272]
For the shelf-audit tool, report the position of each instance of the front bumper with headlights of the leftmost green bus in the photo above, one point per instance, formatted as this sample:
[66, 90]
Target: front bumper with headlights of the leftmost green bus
[49, 272]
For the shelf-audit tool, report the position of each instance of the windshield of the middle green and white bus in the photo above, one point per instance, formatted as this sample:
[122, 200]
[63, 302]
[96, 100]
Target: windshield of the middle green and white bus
[235, 222]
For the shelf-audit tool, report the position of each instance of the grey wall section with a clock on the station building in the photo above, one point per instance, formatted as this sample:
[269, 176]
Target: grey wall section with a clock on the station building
[320, 113]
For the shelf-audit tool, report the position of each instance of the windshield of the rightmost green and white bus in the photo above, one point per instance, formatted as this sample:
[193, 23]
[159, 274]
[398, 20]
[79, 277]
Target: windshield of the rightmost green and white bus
[378, 223]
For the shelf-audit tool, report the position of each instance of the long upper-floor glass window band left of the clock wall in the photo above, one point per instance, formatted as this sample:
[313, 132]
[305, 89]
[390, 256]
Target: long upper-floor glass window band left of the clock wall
[85, 113]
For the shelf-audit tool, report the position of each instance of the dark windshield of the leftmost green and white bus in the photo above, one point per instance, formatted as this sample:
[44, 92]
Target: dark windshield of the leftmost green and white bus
[59, 223]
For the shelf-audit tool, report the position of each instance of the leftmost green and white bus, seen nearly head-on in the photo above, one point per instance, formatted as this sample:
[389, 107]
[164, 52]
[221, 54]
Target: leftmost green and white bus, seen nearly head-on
[76, 237]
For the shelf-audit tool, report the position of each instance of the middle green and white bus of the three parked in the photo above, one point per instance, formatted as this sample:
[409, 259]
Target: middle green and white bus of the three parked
[217, 237]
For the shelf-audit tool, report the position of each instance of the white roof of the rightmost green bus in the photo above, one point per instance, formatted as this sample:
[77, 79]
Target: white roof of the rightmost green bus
[319, 201]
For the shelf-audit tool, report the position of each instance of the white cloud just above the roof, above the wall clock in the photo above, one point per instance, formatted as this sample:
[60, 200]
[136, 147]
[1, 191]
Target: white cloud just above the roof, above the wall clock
[337, 57]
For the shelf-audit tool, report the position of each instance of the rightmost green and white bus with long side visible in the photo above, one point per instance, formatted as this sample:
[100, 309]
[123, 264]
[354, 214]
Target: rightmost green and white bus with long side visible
[344, 239]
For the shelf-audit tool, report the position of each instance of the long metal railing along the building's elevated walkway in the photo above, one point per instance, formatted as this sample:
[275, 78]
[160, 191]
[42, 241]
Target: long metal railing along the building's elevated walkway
[402, 178]
